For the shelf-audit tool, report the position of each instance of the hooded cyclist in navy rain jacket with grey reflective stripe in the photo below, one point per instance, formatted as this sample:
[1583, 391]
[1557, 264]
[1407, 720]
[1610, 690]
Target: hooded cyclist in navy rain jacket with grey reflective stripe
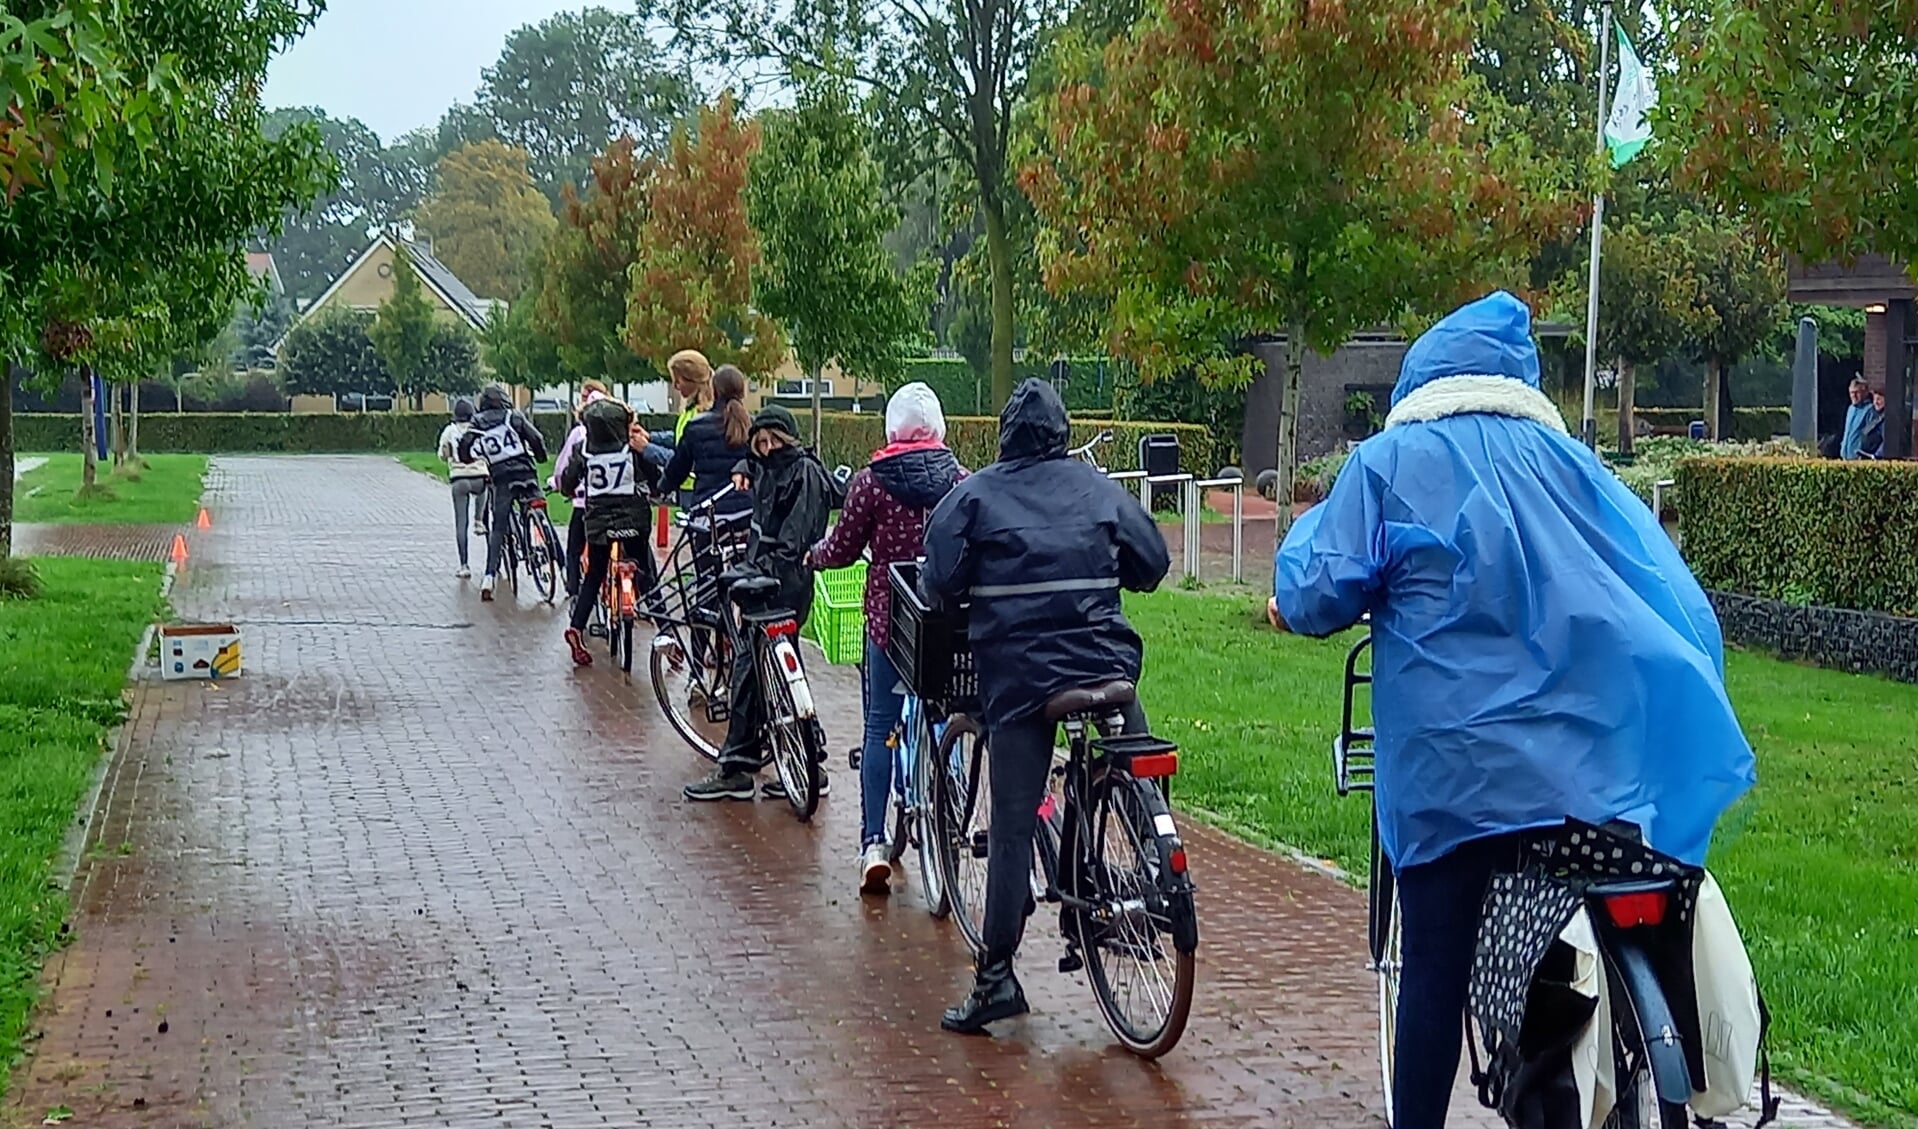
[1042, 545]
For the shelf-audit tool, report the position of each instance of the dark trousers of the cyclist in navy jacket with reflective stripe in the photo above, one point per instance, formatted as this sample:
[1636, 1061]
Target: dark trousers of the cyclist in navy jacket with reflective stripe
[1019, 756]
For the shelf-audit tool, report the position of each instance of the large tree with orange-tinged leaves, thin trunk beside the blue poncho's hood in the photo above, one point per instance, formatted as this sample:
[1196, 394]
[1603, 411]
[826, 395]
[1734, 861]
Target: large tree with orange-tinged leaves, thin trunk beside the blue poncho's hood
[1299, 168]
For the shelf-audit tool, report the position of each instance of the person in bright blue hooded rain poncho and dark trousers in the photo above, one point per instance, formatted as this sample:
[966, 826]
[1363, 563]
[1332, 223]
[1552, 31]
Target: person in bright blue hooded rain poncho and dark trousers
[1539, 653]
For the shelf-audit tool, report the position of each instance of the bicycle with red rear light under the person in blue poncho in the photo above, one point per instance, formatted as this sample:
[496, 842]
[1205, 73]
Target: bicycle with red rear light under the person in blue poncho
[1656, 1051]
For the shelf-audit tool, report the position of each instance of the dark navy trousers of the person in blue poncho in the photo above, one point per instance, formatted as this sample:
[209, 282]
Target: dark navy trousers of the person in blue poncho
[1439, 908]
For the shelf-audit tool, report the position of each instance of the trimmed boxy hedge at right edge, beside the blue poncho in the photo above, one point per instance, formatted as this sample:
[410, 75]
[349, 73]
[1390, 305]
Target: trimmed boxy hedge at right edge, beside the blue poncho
[1804, 532]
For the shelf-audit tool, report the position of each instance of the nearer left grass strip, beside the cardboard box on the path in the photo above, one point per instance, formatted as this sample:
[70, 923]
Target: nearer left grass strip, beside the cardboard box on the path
[62, 668]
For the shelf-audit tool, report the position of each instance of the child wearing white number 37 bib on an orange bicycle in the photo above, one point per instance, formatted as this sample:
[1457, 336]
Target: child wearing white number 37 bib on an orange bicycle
[613, 476]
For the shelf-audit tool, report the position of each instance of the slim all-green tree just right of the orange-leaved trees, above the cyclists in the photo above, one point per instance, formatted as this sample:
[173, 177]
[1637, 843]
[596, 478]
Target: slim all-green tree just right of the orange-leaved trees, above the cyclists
[826, 275]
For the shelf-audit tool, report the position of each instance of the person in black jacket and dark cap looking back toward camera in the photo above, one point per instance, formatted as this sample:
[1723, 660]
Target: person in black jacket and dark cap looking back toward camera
[793, 497]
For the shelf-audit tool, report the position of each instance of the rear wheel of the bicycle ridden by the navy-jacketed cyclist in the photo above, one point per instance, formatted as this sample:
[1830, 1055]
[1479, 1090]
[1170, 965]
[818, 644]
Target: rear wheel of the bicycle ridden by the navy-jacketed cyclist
[1167, 915]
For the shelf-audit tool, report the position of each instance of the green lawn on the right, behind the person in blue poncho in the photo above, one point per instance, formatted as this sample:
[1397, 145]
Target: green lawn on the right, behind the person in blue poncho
[1821, 862]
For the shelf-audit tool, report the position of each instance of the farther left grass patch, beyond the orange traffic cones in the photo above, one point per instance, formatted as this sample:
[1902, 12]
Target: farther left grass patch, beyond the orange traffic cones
[164, 494]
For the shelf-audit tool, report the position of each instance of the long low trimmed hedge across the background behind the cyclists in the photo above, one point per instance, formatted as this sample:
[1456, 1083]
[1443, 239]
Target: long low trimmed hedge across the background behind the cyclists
[847, 438]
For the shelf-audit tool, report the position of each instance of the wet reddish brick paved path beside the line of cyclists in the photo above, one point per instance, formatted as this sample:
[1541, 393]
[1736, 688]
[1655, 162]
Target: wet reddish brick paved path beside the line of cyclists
[417, 871]
